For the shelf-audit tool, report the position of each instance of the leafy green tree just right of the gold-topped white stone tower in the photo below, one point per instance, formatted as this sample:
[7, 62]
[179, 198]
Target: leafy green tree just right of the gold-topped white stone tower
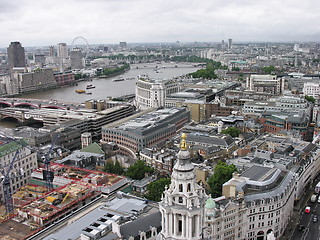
[222, 173]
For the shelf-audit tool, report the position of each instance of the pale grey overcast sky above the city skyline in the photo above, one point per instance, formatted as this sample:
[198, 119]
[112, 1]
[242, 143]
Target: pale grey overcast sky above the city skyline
[48, 22]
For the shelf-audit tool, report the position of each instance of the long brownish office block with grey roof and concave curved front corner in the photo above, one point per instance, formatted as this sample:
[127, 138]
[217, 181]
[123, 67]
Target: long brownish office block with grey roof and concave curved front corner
[147, 130]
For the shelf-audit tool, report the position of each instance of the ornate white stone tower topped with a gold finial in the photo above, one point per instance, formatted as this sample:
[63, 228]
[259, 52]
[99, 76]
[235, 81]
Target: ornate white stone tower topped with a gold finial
[182, 205]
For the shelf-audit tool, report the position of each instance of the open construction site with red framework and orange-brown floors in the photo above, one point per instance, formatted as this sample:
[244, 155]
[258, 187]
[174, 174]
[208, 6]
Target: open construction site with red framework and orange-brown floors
[36, 207]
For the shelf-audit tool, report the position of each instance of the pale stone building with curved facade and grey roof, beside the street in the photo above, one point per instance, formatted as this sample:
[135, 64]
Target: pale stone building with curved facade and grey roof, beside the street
[256, 204]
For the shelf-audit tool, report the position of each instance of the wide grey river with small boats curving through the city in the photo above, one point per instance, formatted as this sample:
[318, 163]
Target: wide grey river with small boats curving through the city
[106, 87]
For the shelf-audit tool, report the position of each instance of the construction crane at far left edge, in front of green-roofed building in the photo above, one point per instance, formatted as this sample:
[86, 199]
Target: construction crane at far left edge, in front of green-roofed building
[7, 176]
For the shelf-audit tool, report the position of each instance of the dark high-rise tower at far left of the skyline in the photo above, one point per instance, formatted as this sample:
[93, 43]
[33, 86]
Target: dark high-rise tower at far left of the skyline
[16, 55]
